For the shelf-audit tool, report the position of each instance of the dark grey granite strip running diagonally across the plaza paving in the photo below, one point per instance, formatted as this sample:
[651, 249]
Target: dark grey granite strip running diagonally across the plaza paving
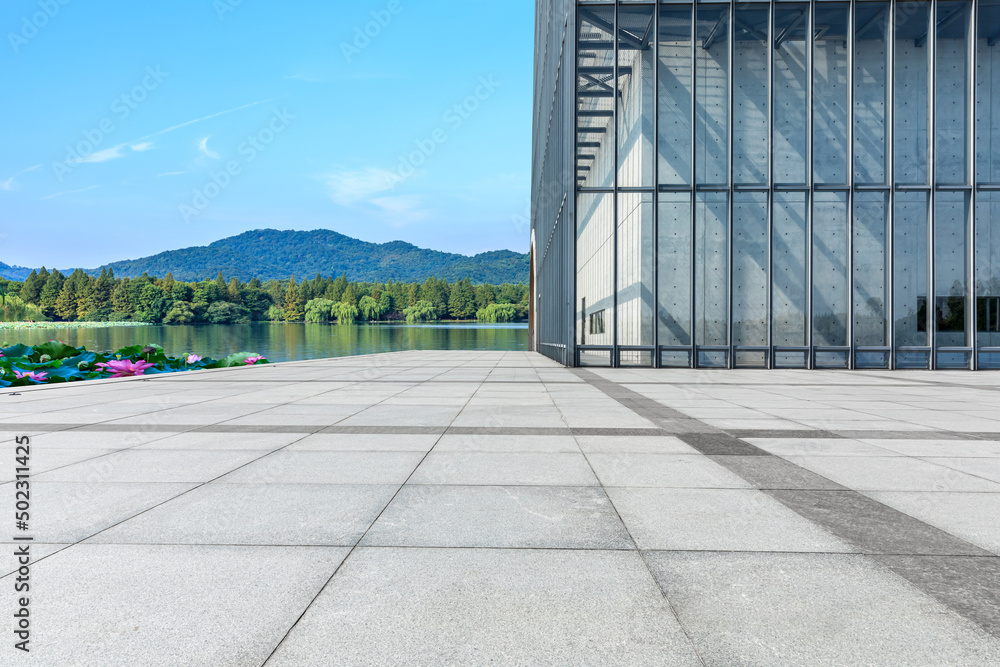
[958, 574]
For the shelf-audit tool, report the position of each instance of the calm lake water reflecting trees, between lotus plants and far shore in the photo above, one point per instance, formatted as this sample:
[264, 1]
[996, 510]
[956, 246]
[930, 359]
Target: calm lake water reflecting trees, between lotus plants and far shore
[288, 342]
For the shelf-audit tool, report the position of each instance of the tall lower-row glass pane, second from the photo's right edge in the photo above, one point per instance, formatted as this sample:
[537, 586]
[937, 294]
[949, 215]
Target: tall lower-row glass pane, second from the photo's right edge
[951, 252]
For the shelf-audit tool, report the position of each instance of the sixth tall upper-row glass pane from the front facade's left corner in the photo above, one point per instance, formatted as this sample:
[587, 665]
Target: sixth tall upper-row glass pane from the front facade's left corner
[791, 22]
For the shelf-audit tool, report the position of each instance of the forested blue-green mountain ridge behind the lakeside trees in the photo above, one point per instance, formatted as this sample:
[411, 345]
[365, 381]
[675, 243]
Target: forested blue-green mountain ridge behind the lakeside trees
[270, 253]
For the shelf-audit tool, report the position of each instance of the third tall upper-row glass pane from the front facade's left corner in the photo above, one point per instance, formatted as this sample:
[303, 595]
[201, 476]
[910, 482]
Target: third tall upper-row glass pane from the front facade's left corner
[675, 94]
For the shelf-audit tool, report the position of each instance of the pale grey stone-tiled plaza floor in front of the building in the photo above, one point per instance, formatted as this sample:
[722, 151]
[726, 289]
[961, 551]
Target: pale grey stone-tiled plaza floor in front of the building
[486, 508]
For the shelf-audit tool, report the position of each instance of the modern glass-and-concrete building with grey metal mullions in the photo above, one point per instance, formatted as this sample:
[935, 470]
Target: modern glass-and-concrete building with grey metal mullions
[767, 184]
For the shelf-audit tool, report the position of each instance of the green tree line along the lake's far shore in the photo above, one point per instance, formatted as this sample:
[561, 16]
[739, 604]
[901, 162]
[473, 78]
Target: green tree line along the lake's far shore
[82, 297]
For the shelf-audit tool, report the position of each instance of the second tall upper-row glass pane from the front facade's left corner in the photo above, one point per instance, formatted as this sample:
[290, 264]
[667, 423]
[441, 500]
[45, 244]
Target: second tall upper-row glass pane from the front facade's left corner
[635, 96]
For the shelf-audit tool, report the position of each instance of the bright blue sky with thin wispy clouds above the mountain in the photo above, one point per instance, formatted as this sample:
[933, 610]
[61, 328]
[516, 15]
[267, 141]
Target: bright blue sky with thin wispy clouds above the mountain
[130, 128]
